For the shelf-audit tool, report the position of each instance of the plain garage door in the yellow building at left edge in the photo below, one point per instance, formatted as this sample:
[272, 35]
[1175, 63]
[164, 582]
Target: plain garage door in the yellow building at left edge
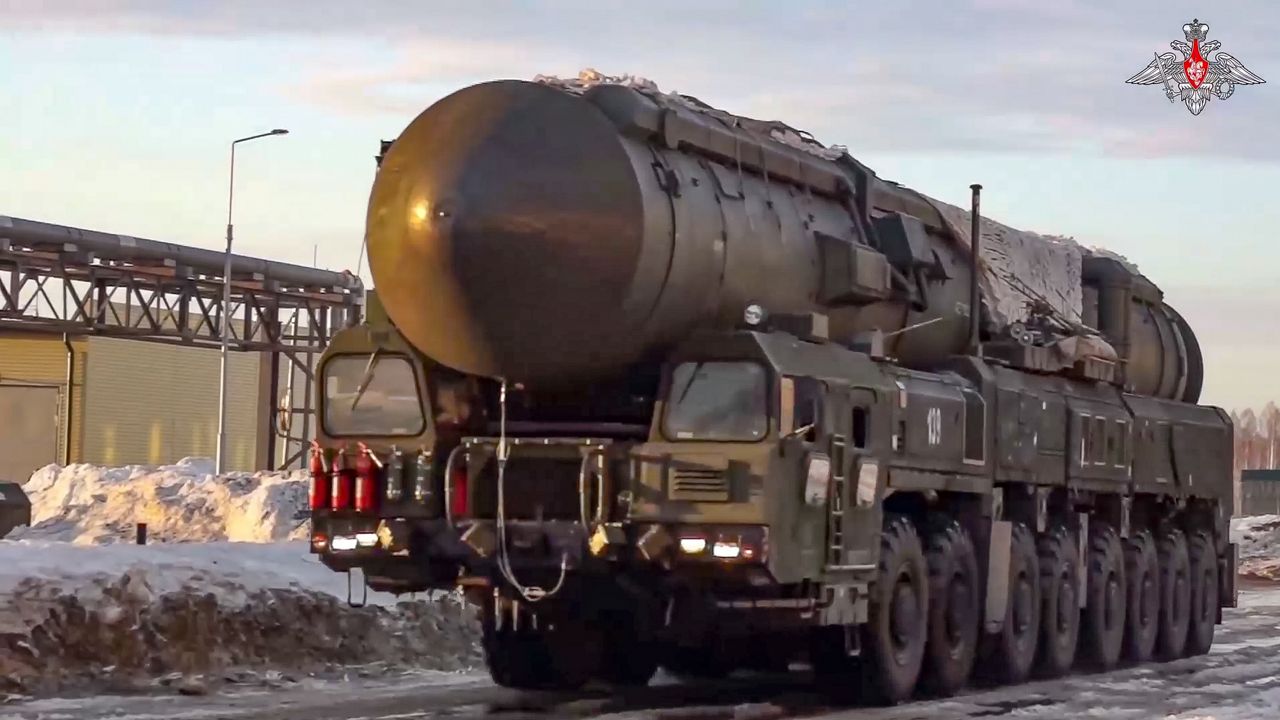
[29, 430]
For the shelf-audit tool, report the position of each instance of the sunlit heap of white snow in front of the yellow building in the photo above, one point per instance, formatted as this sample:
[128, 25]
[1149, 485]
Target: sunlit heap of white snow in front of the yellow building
[181, 503]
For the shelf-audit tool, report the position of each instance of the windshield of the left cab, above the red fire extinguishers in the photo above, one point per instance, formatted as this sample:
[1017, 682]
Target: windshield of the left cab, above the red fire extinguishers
[372, 395]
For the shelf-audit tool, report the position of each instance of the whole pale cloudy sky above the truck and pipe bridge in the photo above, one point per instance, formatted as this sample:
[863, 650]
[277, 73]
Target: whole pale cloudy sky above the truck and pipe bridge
[117, 116]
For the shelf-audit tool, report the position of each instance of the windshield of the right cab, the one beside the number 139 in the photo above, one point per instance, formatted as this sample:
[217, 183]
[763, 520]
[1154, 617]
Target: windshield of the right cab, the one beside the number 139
[717, 402]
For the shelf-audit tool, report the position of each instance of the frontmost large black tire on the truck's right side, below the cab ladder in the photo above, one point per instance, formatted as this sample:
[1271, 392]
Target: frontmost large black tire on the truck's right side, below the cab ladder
[897, 631]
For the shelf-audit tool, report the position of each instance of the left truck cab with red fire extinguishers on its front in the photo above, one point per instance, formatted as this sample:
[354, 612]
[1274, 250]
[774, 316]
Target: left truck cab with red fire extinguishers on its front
[377, 489]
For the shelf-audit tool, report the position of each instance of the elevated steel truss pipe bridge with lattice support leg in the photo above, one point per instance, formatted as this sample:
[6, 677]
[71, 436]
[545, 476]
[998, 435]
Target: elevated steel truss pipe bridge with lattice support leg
[80, 282]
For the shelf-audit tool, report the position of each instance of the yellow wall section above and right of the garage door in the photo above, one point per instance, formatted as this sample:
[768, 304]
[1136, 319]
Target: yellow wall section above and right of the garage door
[42, 359]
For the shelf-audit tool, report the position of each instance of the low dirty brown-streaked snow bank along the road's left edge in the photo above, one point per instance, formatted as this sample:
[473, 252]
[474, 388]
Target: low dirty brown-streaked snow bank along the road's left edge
[77, 617]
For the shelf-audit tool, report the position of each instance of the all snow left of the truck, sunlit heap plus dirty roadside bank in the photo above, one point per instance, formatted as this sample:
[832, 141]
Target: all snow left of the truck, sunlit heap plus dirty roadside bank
[226, 582]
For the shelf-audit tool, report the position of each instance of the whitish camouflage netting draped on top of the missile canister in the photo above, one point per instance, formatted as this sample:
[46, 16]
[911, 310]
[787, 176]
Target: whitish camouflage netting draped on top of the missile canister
[1018, 266]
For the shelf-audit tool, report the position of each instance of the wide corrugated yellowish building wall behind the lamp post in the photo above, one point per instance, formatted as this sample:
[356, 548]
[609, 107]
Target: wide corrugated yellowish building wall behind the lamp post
[148, 403]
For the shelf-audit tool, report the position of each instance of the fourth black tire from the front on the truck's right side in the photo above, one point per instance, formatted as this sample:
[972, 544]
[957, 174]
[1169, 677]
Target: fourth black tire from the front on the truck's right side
[1060, 608]
